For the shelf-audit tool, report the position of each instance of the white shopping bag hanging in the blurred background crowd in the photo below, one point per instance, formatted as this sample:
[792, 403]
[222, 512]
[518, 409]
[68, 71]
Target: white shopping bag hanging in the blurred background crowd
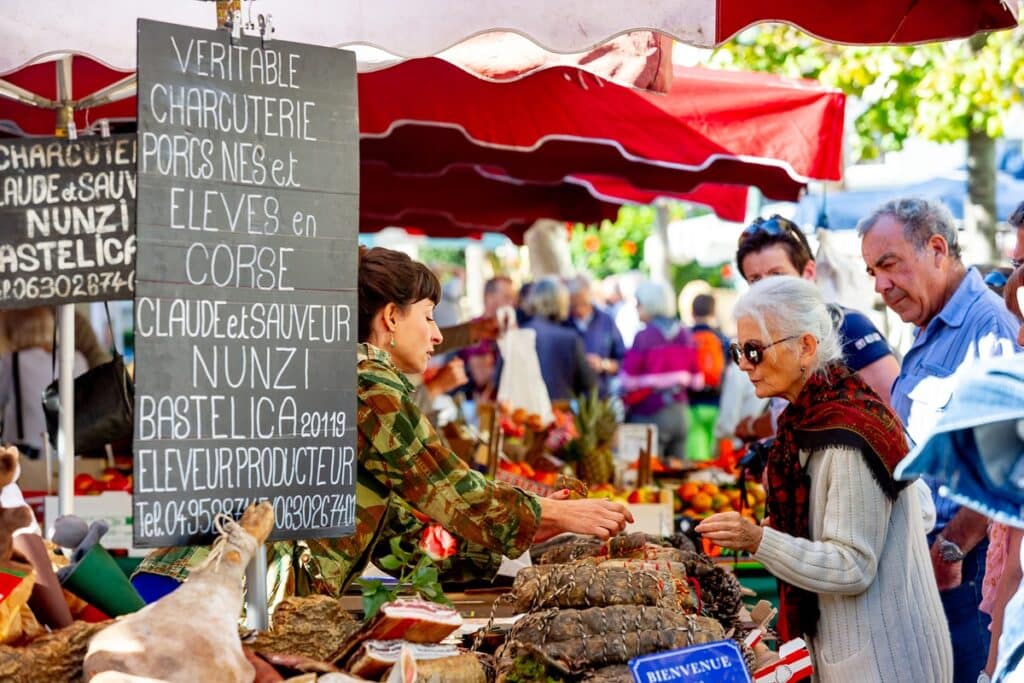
[521, 383]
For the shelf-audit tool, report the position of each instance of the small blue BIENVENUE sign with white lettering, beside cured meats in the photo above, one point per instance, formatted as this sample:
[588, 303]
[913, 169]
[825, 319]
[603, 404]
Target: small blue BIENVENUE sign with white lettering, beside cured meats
[720, 662]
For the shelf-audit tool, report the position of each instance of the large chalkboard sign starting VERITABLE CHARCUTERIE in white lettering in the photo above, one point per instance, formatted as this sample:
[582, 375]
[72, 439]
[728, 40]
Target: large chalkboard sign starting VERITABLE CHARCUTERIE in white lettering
[246, 308]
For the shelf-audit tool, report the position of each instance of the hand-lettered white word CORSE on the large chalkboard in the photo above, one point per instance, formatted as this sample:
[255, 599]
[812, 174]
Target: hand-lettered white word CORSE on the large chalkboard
[260, 268]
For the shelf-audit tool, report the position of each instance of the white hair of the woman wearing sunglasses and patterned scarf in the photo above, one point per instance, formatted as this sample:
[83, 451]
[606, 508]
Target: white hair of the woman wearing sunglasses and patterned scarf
[792, 307]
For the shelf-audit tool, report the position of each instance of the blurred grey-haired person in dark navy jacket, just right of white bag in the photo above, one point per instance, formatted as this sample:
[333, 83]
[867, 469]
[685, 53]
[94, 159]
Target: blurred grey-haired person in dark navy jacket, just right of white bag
[564, 362]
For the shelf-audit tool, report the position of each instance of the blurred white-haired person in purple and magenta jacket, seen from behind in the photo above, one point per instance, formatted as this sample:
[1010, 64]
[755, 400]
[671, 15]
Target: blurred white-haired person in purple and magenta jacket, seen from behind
[660, 369]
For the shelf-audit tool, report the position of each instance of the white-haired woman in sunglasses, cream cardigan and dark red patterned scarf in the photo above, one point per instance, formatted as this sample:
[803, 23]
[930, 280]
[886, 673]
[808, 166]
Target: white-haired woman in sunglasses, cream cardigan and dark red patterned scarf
[844, 538]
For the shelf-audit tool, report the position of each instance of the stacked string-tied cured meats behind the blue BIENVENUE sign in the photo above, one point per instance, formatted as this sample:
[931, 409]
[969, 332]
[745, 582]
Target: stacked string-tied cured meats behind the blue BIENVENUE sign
[591, 607]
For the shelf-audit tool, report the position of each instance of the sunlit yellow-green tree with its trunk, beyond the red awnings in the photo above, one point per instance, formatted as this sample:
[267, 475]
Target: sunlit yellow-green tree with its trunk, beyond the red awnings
[948, 92]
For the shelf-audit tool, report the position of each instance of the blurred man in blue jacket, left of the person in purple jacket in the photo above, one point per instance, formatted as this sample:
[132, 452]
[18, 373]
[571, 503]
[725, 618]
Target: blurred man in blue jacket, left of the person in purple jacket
[602, 338]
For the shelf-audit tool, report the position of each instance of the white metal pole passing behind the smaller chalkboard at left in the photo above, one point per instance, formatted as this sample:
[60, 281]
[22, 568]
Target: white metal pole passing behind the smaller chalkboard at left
[66, 321]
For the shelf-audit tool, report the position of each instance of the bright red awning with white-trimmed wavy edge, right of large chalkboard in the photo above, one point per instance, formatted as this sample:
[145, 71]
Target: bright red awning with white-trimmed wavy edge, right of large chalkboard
[423, 116]
